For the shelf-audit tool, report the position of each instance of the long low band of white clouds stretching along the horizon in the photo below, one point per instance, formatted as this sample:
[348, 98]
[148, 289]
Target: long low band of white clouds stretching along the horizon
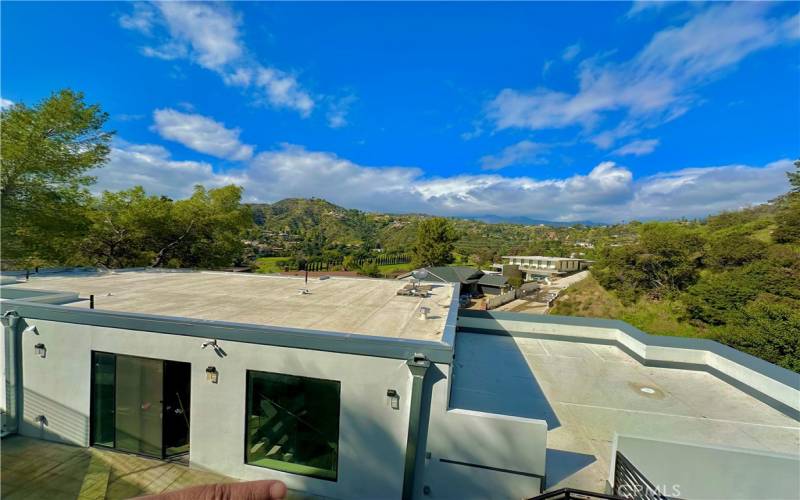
[608, 192]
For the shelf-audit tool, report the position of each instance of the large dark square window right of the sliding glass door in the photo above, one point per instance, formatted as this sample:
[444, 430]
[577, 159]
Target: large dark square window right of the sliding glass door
[293, 424]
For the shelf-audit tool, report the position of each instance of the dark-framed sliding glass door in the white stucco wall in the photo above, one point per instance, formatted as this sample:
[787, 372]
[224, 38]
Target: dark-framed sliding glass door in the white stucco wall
[140, 405]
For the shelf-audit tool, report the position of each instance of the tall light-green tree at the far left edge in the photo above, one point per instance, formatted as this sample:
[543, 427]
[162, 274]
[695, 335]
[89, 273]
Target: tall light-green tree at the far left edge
[48, 151]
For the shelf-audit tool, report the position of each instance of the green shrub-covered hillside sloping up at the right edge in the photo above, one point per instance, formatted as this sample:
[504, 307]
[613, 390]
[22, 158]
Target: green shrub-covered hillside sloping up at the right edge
[734, 278]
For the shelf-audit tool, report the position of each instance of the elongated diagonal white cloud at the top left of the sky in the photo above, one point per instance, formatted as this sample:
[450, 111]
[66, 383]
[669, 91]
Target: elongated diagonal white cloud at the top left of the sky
[209, 35]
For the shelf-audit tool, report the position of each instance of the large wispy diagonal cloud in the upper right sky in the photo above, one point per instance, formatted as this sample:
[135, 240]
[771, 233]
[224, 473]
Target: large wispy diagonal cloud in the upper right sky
[656, 85]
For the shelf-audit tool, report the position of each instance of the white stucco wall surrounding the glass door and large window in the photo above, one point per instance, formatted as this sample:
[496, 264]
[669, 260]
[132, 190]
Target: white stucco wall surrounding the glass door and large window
[372, 435]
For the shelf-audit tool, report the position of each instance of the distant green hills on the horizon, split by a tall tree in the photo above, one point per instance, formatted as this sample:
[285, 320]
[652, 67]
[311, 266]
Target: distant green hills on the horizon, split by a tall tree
[318, 227]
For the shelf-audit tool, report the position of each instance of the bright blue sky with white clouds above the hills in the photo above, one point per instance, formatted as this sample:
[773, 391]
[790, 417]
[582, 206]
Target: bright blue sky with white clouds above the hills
[562, 111]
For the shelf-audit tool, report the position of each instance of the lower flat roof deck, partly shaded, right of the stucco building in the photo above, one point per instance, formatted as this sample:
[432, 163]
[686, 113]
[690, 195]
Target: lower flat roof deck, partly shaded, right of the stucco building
[587, 392]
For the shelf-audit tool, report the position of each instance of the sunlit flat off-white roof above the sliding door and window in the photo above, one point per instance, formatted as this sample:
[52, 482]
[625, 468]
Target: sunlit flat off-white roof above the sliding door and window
[337, 304]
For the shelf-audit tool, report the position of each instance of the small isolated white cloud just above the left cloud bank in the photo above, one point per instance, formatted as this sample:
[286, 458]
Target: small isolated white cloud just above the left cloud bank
[201, 133]
